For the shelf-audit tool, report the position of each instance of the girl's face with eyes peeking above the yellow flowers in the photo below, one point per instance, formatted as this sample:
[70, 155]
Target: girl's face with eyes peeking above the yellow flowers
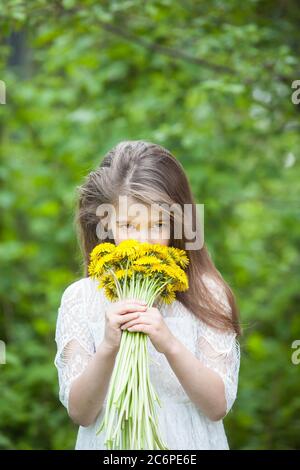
[135, 220]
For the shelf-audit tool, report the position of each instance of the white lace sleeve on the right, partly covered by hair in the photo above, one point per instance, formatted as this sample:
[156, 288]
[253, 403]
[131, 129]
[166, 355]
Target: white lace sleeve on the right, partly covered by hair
[219, 350]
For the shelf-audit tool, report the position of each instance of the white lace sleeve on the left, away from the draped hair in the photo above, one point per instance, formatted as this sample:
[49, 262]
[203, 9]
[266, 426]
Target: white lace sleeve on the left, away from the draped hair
[75, 346]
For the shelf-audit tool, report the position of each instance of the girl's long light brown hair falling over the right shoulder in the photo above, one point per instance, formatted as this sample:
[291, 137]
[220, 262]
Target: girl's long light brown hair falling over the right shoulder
[149, 173]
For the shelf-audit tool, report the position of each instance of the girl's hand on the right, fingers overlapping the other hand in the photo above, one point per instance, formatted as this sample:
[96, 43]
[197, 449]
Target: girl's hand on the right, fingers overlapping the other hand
[152, 323]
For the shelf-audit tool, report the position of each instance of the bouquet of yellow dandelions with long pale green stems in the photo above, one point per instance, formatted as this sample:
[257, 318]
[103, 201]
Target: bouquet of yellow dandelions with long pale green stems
[147, 272]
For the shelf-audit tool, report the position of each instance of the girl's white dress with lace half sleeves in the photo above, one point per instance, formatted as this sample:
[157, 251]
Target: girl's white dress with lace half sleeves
[183, 426]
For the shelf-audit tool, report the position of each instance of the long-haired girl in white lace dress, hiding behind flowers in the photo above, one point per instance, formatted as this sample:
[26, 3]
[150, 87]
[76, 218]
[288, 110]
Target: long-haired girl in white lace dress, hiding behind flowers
[193, 346]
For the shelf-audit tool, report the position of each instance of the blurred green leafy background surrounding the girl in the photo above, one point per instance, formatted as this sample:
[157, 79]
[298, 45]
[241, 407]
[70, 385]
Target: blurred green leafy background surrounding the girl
[212, 82]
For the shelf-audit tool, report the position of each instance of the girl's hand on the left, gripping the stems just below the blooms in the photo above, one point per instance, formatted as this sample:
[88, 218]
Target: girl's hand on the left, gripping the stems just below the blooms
[116, 315]
